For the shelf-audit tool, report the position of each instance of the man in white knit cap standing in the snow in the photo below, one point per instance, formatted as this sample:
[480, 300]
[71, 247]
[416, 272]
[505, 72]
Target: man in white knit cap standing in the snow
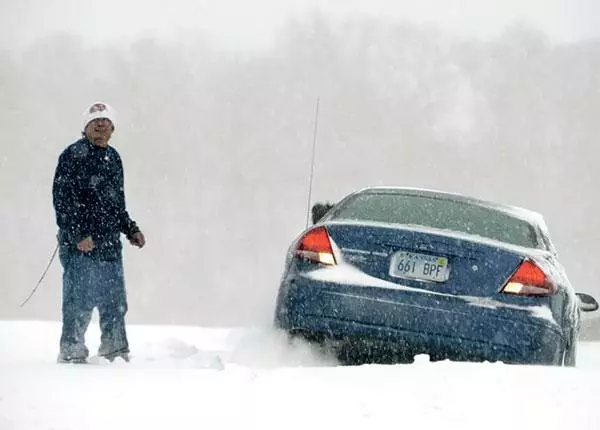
[89, 200]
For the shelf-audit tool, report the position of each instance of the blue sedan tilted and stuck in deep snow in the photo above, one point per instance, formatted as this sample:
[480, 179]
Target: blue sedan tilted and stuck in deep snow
[388, 273]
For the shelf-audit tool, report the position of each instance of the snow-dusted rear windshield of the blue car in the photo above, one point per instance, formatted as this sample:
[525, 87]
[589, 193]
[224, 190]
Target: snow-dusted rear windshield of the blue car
[438, 213]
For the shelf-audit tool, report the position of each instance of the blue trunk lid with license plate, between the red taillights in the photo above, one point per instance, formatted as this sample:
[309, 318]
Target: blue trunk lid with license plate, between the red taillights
[425, 259]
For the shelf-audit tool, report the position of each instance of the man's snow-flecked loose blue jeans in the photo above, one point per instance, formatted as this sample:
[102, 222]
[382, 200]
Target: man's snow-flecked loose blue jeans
[90, 283]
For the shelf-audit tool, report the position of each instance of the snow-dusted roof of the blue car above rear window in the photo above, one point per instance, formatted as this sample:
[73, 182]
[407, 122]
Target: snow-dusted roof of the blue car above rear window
[531, 216]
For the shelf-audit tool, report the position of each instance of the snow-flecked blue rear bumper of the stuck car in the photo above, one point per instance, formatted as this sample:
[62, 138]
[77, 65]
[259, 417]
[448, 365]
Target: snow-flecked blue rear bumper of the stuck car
[400, 324]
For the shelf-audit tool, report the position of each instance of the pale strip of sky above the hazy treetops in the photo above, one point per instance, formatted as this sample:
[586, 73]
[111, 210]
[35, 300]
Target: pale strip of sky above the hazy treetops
[242, 24]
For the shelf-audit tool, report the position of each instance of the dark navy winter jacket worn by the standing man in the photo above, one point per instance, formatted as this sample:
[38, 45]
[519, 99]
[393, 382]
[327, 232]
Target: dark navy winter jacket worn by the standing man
[89, 199]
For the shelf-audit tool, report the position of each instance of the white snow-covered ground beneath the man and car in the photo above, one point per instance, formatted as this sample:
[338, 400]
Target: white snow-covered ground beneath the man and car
[198, 378]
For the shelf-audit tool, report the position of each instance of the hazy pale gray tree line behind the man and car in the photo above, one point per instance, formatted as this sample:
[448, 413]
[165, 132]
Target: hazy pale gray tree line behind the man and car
[217, 145]
